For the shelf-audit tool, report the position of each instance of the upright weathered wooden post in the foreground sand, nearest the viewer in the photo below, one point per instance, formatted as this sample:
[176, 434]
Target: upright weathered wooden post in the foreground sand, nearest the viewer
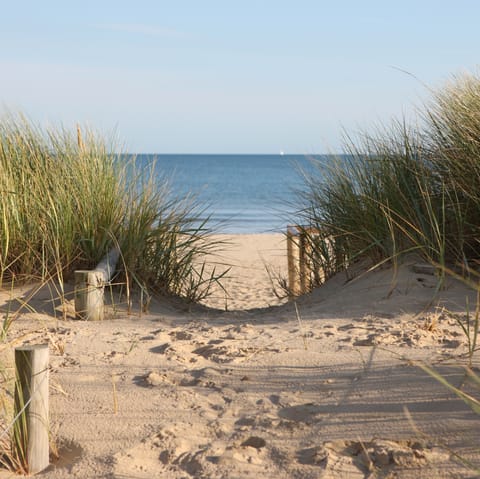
[31, 441]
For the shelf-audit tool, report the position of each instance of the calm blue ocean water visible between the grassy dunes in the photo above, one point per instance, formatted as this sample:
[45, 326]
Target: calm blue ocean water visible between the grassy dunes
[243, 193]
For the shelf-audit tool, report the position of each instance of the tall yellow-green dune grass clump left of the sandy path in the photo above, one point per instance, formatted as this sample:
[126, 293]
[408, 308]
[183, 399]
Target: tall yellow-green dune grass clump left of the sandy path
[65, 201]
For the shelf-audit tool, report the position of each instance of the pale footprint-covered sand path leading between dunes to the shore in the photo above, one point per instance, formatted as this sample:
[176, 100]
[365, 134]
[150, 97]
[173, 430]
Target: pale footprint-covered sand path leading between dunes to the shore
[248, 388]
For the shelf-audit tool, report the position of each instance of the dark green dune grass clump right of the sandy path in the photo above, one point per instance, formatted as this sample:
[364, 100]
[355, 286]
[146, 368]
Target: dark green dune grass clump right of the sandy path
[406, 189]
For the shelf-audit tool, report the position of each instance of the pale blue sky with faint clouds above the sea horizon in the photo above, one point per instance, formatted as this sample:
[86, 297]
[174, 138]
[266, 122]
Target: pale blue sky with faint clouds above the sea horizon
[230, 76]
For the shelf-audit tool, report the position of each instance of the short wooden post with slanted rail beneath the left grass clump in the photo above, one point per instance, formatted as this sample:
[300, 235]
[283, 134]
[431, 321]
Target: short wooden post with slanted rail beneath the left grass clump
[90, 286]
